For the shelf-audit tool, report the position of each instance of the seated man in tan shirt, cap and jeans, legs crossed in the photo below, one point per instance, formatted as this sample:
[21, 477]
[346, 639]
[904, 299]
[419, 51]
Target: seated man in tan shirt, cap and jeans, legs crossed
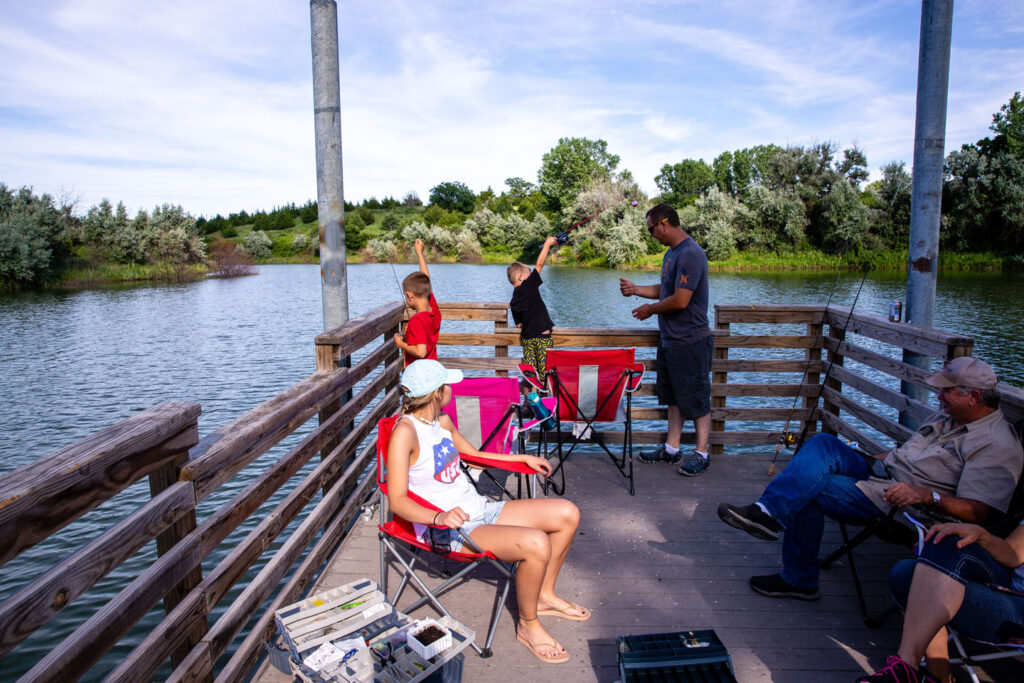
[965, 461]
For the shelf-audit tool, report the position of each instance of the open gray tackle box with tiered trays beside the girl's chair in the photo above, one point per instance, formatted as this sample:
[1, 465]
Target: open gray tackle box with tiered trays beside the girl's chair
[353, 633]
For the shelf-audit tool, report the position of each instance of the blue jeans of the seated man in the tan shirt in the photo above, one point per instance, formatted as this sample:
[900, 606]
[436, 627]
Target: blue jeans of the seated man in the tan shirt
[820, 481]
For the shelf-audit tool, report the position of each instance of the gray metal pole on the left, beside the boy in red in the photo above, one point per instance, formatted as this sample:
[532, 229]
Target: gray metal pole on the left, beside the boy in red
[330, 192]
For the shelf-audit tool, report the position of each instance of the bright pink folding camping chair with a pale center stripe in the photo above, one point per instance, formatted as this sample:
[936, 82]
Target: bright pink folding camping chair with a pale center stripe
[487, 412]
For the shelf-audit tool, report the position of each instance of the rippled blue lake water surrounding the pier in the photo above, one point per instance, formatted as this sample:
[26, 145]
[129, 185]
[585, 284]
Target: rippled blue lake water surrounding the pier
[74, 363]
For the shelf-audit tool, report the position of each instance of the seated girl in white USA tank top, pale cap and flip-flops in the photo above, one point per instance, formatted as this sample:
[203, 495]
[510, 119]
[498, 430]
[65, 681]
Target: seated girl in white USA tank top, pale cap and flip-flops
[423, 457]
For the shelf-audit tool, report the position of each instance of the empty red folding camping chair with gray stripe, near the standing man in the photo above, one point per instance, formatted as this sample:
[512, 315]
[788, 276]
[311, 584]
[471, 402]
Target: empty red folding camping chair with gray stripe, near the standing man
[589, 387]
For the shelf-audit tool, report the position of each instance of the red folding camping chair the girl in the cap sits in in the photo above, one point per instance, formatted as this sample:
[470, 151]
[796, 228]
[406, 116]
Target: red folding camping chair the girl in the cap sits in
[399, 540]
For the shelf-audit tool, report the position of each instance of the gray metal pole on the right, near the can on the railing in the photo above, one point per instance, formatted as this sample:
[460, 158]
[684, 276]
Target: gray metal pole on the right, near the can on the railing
[926, 203]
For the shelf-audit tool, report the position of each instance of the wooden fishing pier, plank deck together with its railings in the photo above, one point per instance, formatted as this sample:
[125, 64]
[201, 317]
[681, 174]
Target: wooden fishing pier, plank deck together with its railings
[655, 563]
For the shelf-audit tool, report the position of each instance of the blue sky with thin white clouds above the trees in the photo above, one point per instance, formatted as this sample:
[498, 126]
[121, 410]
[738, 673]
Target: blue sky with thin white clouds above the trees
[209, 105]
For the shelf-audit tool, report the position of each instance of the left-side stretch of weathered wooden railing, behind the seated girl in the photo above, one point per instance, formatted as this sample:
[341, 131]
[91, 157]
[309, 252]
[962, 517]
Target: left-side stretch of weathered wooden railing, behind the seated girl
[163, 443]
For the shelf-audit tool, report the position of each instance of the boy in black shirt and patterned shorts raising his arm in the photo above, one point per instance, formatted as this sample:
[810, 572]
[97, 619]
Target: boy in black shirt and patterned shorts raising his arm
[529, 312]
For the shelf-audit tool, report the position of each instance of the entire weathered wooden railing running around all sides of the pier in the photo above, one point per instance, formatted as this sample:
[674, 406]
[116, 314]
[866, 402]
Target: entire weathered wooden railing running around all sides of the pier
[356, 383]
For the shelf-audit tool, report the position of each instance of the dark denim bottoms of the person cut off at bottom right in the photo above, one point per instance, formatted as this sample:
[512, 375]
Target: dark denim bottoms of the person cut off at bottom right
[985, 611]
